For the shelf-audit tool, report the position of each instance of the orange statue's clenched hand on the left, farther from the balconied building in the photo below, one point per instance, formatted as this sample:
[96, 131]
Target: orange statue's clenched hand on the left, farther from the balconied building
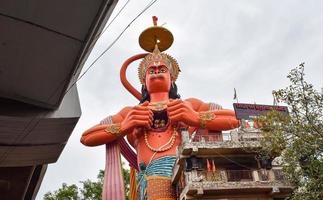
[138, 116]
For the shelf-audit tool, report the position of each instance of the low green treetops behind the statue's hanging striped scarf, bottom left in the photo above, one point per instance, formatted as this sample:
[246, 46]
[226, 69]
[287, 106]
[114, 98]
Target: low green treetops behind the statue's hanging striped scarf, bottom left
[90, 190]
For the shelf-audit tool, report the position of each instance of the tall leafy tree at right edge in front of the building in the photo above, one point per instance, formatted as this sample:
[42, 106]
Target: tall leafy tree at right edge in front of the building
[298, 138]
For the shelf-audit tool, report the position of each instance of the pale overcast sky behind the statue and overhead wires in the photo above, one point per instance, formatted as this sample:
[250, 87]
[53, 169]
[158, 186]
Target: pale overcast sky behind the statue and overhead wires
[219, 45]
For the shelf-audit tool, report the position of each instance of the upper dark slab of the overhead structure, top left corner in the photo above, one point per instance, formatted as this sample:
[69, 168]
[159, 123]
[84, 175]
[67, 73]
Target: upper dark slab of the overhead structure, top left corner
[43, 43]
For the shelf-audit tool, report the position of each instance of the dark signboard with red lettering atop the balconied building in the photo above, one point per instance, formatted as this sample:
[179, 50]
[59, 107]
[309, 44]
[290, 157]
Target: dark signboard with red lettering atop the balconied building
[250, 111]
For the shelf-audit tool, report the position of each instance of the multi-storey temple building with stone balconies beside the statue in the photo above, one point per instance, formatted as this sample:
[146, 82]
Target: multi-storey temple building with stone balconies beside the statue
[215, 165]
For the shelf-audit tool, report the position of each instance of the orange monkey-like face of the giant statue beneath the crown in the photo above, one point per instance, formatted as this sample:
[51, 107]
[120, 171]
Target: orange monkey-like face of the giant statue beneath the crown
[158, 78]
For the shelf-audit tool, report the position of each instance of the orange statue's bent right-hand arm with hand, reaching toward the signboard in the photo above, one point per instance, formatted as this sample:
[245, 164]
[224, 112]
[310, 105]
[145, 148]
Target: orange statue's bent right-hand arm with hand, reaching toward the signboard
[196, 113]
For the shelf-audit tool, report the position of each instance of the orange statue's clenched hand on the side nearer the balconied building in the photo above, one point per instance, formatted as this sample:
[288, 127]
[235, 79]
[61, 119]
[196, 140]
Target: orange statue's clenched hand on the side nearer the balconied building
[182, 111]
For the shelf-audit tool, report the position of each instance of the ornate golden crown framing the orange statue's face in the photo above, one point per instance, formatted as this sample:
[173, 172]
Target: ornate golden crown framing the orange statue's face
[157, 56]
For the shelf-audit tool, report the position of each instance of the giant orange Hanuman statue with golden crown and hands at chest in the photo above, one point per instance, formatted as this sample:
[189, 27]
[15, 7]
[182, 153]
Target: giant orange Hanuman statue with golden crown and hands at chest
[153, 127]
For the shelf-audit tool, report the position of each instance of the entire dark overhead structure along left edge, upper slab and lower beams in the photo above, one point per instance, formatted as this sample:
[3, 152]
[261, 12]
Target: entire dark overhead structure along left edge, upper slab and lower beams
[43, 46]
